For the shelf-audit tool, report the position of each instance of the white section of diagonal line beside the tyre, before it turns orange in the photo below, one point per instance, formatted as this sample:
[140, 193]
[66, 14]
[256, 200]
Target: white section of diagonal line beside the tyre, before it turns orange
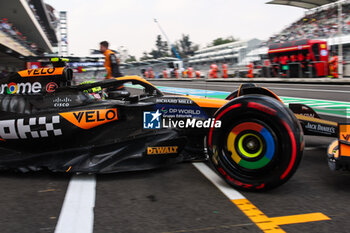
[229, 192]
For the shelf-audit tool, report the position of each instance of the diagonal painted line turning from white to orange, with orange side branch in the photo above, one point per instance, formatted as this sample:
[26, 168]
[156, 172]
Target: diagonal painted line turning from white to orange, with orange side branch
[266, 224]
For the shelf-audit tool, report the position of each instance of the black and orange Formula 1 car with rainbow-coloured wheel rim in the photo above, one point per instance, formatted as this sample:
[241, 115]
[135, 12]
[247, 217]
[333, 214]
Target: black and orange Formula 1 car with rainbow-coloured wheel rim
[252, 139]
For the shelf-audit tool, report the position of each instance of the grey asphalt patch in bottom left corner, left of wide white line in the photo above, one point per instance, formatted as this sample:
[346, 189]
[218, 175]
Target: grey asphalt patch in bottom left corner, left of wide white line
[31, 202]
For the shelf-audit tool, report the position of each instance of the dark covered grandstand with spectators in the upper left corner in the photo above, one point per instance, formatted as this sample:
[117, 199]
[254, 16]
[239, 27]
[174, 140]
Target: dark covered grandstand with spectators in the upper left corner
[27, 28]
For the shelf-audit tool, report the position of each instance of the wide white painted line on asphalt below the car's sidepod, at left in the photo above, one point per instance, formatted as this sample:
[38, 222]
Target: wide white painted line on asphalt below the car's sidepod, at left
[77, 213]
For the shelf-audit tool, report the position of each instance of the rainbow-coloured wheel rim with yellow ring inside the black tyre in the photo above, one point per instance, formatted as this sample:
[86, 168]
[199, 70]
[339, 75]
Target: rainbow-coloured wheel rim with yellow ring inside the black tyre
[251, 144]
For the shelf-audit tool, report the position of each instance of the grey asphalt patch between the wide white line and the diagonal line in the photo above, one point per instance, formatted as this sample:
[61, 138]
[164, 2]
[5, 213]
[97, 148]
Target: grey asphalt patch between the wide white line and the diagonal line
[177, 198]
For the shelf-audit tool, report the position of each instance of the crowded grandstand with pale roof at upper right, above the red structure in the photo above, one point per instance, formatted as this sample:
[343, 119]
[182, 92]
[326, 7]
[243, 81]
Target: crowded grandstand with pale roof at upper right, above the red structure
[320, 22]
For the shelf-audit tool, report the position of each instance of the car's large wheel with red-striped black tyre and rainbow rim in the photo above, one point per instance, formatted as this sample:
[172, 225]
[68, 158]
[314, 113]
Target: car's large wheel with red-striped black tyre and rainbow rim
[259, 144]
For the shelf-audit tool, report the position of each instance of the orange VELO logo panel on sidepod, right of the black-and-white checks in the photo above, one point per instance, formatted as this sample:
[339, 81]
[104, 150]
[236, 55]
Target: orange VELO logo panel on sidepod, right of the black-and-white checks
[88, 119]
